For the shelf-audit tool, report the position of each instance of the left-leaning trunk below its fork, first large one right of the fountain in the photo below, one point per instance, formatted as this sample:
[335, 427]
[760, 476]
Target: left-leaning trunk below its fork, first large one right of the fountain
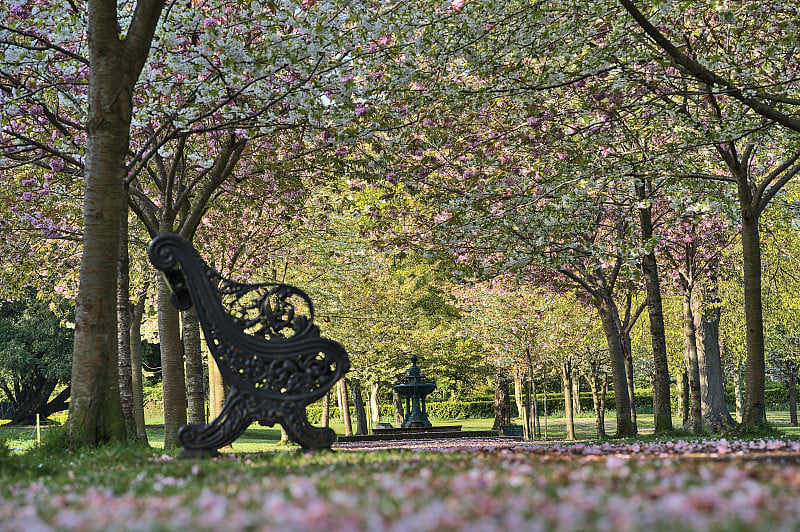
[609, 317]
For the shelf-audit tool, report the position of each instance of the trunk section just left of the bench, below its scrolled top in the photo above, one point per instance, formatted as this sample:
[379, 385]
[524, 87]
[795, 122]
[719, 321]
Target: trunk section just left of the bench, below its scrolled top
[173, 380]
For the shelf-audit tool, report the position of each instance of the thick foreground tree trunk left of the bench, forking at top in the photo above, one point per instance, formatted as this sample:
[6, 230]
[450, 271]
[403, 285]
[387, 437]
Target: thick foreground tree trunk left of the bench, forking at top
[95, 413]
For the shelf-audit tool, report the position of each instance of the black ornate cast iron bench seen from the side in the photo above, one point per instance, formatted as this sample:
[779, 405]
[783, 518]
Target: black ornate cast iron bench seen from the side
[265, 343]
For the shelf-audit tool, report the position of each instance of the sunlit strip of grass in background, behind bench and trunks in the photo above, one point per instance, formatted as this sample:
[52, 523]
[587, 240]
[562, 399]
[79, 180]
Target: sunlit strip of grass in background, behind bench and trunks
[258, 438]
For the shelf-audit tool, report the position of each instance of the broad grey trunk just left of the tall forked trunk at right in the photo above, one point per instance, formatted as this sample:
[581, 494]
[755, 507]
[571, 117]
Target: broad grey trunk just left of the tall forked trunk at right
[715, 415]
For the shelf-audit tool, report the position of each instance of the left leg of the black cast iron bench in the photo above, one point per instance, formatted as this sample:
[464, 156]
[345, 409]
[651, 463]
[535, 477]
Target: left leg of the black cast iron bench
[232, 421]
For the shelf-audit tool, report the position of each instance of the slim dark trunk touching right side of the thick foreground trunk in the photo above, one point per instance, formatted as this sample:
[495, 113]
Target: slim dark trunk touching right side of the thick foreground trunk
[124, 329]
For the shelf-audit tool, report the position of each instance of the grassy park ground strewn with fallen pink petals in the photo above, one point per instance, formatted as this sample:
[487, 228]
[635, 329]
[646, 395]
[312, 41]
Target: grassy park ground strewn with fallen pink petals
[678, 482]
